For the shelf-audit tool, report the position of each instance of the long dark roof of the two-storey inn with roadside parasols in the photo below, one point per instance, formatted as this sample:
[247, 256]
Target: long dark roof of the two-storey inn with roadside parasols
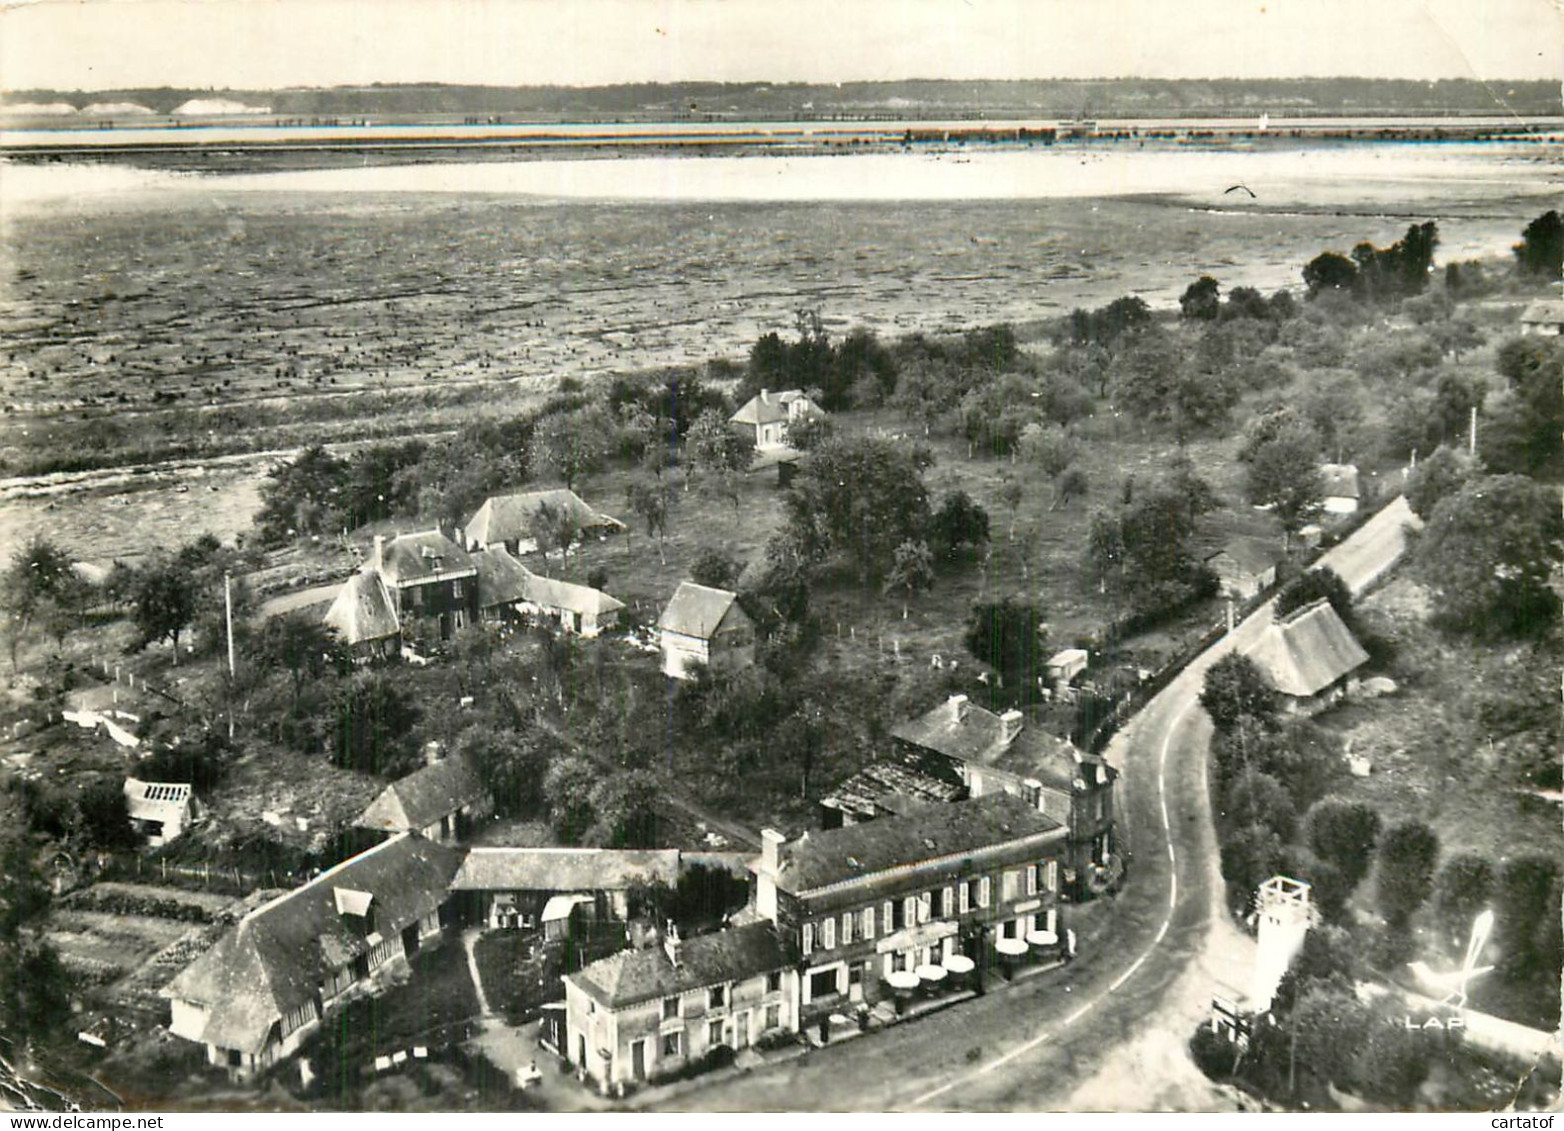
[834, 856]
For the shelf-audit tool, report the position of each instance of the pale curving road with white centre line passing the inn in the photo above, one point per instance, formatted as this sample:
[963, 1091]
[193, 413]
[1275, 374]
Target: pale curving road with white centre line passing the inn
[1108, 1032]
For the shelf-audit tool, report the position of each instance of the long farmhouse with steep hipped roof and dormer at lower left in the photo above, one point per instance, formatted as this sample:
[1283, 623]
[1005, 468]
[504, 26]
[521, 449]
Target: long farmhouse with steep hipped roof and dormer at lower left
[267, 985]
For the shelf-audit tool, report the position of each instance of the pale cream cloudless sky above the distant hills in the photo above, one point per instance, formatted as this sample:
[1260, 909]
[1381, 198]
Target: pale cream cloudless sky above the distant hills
[260, 45]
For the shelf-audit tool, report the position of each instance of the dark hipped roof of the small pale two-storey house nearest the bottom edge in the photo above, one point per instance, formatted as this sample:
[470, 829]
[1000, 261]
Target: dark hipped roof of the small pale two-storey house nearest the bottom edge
[711, 960]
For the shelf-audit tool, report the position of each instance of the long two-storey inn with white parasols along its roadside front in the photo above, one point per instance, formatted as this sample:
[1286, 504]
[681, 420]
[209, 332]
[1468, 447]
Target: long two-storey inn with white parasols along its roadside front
[924, 894]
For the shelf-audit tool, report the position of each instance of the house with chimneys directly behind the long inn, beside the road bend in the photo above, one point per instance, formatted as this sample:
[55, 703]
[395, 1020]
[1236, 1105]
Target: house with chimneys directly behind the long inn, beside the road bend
[1000, 755]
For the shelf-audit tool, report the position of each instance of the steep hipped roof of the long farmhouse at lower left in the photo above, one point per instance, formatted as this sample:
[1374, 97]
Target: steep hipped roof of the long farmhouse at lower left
[279, 955]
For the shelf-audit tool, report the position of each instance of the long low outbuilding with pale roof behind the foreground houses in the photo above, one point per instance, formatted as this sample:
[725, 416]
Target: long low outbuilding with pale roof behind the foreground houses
[515, 886]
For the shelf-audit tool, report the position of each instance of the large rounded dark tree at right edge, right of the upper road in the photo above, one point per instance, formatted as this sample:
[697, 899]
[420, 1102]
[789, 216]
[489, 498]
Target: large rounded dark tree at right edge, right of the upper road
[1490, 553]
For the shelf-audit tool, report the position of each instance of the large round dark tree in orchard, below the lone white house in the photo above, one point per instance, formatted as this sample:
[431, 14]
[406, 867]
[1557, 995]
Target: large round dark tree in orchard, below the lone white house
[859, 498]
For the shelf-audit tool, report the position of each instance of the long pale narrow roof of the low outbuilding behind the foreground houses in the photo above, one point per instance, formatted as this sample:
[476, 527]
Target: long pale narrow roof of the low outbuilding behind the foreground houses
[564, 869]
